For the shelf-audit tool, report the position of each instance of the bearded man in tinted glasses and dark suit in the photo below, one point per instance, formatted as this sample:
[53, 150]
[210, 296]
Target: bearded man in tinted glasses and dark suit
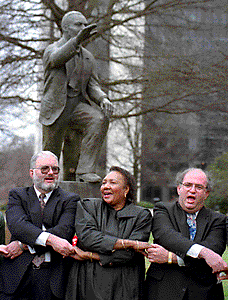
[41, 234]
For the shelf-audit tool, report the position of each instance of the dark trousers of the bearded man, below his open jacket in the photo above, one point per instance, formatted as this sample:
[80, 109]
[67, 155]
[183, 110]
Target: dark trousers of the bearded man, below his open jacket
[35, 285]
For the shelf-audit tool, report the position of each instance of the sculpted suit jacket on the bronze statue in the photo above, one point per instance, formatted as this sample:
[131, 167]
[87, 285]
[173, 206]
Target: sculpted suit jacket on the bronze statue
[55, 79]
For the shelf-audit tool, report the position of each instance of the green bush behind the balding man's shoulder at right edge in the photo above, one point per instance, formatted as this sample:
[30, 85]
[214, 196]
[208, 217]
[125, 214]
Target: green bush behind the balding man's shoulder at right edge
[218, 198]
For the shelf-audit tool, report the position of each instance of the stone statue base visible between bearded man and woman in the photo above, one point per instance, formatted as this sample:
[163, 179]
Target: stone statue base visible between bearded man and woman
[83, 189]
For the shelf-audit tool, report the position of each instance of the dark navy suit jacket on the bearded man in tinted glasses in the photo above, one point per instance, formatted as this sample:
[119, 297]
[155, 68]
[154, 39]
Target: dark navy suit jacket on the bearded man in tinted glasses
[24, 221]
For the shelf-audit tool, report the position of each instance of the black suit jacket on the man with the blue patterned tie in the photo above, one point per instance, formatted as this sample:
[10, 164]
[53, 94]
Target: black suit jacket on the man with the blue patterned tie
[170, 230]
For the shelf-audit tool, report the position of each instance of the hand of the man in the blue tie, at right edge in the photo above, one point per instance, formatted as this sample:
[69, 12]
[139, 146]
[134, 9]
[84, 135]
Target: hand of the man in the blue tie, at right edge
[213, 260]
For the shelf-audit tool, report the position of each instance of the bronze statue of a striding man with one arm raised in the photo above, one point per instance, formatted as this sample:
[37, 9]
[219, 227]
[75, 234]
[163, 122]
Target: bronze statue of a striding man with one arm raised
[74, 110]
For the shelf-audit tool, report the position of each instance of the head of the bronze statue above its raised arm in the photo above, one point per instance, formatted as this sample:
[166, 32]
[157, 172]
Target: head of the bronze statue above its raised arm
[72, 23]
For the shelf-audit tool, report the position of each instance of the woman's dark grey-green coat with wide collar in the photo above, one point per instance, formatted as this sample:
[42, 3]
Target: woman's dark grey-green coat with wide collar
[119, 274]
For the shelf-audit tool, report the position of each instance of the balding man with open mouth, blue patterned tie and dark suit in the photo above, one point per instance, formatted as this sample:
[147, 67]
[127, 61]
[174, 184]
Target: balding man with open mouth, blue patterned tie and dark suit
[186, 257]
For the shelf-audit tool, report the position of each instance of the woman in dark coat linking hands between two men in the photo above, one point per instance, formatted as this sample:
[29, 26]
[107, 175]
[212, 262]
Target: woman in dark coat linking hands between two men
[114, 232]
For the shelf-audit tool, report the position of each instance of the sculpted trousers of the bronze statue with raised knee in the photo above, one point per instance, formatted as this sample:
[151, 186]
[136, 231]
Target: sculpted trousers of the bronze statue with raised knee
[80, 132]
